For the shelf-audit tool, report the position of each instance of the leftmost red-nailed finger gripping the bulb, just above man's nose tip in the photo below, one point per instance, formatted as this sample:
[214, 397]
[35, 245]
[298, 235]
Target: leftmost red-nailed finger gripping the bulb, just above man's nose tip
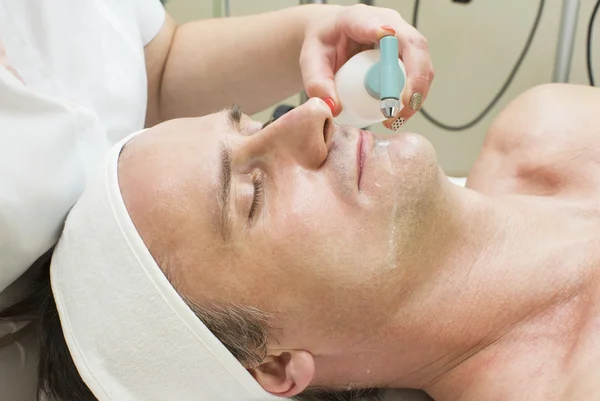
[317, 62]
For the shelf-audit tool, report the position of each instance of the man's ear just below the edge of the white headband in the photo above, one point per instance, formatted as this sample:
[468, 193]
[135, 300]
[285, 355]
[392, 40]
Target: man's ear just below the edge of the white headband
[286, 374]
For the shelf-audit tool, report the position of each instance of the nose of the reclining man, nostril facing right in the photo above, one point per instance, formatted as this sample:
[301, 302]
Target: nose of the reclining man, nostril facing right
[302, 136]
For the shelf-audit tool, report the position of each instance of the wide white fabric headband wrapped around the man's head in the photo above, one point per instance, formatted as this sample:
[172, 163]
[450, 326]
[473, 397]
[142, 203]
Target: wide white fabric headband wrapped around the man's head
[130, 334]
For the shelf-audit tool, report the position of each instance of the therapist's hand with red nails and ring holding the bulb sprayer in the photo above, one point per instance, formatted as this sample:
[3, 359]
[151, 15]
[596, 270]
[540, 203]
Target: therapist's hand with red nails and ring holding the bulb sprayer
[341, 32]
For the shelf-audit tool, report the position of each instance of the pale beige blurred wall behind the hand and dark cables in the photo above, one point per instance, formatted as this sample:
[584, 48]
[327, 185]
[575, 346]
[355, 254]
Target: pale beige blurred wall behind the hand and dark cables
[474, 46]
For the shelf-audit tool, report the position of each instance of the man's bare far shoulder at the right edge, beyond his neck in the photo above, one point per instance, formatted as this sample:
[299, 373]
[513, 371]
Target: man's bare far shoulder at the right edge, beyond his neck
[545, 142]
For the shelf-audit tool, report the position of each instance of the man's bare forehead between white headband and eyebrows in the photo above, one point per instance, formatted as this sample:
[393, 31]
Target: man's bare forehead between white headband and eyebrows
[169, 182]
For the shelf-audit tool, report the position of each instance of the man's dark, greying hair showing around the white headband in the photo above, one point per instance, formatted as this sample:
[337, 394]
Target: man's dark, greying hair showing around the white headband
[58, 378]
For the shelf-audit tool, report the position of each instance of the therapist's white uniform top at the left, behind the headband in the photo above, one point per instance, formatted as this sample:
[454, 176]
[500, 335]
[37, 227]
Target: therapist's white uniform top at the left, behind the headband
[76, 84]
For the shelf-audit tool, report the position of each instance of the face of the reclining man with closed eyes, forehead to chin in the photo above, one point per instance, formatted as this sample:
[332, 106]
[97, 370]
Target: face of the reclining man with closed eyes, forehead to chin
[302, 219]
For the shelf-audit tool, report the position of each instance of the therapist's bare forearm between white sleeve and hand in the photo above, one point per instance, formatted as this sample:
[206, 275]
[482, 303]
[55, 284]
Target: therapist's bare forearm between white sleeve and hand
[251, 60]
